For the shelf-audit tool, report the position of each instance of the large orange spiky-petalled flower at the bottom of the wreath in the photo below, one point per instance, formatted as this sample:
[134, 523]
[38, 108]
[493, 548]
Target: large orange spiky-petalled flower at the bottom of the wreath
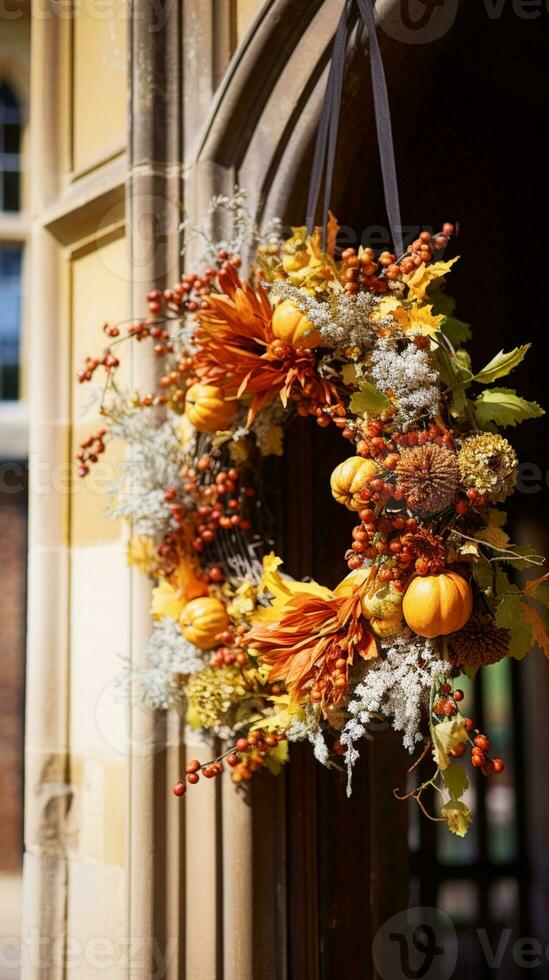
[314, 645]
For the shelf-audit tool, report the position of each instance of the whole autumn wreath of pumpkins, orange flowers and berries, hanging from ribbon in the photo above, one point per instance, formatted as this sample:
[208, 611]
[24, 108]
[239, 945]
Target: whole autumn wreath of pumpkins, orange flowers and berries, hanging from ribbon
[369, 344]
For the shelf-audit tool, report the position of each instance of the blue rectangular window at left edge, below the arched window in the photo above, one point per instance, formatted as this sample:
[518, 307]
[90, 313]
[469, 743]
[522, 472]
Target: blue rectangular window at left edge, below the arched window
[10, 316]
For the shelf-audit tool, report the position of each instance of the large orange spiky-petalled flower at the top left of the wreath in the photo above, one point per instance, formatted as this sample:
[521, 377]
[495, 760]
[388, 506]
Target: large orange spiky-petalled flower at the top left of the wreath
[237, 350]
